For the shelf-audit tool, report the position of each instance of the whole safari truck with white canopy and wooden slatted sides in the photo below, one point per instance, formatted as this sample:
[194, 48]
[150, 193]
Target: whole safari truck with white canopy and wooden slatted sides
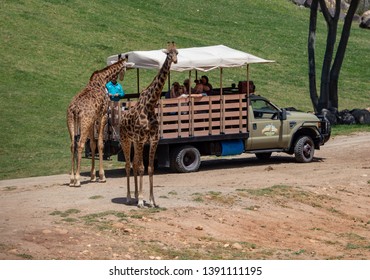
[231, 121]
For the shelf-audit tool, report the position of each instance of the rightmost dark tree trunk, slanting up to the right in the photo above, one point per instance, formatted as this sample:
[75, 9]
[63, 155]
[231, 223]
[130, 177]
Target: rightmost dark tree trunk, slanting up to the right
[338, 61]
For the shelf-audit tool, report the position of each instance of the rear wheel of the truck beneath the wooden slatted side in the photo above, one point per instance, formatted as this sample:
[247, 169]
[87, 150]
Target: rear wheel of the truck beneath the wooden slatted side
[185, 159]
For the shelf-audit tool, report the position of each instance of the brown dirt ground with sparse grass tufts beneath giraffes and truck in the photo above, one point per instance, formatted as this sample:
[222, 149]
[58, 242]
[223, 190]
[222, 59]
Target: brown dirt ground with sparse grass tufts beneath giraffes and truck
[233, 208]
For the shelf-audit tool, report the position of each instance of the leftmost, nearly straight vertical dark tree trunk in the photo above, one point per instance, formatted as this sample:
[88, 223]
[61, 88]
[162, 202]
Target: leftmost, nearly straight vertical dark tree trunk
[311, 55]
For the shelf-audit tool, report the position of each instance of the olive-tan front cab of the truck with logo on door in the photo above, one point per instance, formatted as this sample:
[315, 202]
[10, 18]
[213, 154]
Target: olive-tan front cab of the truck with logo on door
[272, 129]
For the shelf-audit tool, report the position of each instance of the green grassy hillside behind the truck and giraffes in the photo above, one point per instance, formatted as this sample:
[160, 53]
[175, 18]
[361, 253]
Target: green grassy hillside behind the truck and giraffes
[49, 48]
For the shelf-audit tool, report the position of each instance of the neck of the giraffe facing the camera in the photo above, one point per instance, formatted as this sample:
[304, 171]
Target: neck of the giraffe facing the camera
[154, 90]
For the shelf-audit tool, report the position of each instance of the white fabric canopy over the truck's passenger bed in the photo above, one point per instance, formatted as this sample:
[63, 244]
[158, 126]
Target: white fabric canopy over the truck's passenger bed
[199, 58]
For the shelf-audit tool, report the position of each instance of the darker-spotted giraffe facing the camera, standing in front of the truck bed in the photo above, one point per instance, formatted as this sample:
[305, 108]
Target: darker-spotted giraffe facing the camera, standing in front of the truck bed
[139, 125]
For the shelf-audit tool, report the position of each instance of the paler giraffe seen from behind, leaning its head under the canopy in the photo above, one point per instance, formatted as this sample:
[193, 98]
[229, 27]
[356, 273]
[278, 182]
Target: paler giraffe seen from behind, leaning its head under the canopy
[90, 105]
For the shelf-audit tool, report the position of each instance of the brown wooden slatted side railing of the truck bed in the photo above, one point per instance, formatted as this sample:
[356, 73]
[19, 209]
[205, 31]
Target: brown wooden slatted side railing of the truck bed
[201, 116]
